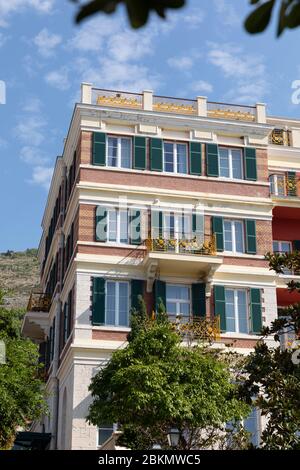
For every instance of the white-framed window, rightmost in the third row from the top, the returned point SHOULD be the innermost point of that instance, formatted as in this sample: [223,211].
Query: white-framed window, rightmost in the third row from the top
[237,310]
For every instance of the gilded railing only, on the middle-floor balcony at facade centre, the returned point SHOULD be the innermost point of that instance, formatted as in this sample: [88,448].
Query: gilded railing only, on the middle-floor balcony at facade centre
[185,246]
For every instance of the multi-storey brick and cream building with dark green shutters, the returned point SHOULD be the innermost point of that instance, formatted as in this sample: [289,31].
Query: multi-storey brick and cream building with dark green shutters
[174,199]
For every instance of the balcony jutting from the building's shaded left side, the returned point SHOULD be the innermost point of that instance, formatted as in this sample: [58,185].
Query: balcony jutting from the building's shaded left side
[35,323]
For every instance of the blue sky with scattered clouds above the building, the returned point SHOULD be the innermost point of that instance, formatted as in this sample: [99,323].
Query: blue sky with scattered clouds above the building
[44,56]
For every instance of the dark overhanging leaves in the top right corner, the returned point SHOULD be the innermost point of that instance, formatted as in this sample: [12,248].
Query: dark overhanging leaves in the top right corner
[259,19]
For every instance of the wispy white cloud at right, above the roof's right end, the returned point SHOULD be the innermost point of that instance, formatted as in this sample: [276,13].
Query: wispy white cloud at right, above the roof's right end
[246,72]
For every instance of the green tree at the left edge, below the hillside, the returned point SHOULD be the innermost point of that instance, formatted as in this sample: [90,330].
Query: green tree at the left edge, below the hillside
[21,391]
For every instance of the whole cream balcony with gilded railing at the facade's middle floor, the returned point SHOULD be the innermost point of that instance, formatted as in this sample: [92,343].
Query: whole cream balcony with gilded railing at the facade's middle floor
[186,257]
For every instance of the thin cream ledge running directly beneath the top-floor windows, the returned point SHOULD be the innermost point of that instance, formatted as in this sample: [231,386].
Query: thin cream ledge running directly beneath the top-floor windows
[176,175]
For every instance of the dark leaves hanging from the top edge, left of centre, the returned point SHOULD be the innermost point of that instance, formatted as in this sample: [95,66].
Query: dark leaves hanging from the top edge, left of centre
[138,12]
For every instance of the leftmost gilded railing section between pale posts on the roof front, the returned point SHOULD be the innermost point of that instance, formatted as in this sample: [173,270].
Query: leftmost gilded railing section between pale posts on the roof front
[116,98]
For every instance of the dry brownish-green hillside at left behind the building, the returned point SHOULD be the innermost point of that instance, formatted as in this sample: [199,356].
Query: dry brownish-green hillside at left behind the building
[19,273]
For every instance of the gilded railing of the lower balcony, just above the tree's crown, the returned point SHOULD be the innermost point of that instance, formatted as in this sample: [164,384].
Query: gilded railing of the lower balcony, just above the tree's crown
[197,328]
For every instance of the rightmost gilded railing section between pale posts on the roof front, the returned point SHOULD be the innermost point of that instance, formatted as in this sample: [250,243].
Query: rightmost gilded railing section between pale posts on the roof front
[231,111]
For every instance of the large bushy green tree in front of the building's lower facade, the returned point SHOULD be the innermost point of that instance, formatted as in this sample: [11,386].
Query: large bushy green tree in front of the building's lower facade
[156,383]
